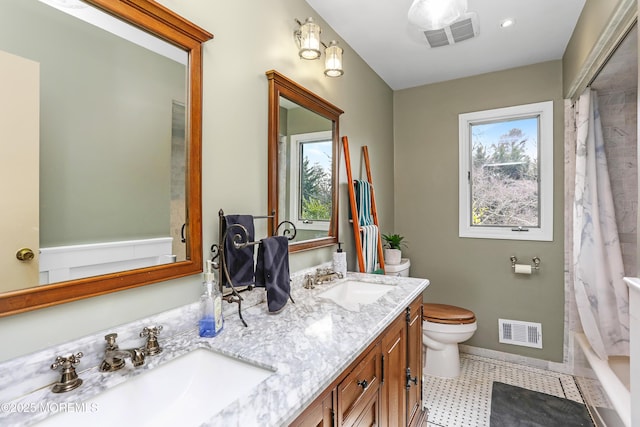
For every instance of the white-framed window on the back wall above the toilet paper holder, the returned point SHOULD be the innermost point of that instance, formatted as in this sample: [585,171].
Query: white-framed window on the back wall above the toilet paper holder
[506,173]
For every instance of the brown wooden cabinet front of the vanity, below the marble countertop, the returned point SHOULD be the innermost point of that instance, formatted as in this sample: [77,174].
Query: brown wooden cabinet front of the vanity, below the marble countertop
[383,386]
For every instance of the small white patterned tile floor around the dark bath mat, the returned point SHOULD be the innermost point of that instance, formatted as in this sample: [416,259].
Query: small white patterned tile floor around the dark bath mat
[466,401]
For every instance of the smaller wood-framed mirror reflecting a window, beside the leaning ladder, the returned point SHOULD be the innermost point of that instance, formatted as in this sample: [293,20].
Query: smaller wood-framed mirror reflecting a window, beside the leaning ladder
[303,162]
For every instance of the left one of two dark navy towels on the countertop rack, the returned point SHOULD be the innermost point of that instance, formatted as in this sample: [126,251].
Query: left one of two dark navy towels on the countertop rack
[239,261]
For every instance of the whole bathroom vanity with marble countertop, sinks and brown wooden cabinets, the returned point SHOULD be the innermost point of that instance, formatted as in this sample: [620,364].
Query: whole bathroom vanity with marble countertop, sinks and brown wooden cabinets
[315,361]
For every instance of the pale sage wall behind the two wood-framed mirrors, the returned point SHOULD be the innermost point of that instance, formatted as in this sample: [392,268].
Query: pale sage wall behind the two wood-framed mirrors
[250,38]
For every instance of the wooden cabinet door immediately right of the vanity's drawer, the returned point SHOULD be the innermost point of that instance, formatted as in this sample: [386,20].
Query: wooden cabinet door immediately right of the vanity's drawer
[393,402]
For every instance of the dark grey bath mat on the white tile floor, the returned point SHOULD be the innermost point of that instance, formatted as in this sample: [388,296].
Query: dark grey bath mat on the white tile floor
[513,406]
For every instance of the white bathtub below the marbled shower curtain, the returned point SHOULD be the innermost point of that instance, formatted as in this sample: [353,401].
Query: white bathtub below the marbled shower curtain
[613,409]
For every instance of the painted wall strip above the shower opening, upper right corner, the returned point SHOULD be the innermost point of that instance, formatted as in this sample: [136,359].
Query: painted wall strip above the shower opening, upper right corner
[593,19]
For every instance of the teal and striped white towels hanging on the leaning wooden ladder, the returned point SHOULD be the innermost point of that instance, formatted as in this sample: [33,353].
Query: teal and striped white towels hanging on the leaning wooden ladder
[368,230]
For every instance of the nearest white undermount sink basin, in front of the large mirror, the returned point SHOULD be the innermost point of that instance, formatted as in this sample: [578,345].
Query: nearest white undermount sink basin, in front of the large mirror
[185,391]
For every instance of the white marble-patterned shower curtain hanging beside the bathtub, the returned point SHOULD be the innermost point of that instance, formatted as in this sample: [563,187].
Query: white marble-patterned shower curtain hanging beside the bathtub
[601,295]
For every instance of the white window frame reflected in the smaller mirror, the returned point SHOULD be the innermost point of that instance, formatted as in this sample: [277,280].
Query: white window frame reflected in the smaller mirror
[294,184]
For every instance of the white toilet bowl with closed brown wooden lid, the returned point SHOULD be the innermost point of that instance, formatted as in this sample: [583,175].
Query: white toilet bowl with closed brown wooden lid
[443,327]
